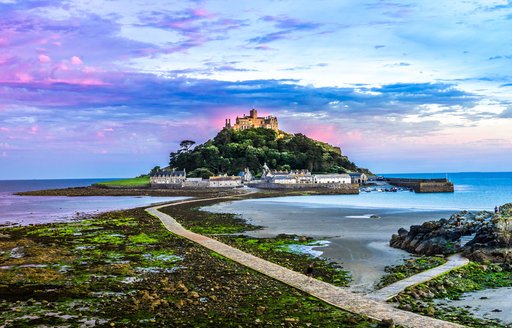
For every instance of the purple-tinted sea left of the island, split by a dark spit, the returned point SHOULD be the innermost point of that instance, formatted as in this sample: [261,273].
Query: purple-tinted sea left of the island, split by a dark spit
[44,209]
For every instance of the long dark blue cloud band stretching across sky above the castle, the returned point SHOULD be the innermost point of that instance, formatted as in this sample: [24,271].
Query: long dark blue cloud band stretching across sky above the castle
[138,97]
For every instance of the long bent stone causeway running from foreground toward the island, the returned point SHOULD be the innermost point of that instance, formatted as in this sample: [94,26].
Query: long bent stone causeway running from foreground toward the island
[337,296]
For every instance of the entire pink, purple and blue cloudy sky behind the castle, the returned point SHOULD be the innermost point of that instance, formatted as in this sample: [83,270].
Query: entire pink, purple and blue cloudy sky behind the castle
[108,88]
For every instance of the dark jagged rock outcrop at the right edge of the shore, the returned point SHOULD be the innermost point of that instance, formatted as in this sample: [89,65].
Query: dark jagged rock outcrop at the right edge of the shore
[479,236]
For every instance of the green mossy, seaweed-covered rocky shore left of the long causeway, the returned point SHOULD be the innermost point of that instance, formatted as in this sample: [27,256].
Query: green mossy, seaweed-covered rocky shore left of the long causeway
[124,274]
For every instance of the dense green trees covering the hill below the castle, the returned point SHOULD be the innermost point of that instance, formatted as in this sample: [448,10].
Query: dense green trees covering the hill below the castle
[232,151]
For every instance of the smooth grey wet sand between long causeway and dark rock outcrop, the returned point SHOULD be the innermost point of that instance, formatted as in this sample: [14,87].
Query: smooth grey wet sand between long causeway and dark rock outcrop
[358,241]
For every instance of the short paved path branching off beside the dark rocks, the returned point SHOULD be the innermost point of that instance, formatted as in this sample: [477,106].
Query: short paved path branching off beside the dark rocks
[388,292]
